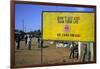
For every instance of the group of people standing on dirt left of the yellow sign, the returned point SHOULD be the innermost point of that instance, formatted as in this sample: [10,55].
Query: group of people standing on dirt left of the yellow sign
[28,41]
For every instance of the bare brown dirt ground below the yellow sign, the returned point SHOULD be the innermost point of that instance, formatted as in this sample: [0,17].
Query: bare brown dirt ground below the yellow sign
[50,55]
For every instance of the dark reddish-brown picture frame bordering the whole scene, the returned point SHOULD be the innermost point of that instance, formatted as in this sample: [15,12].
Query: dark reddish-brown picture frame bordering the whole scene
[12,36]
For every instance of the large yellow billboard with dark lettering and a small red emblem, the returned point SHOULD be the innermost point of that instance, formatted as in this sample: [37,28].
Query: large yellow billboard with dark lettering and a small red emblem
[69,26]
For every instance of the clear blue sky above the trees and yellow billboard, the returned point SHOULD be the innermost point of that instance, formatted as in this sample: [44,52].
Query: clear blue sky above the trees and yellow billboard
[29,16]
